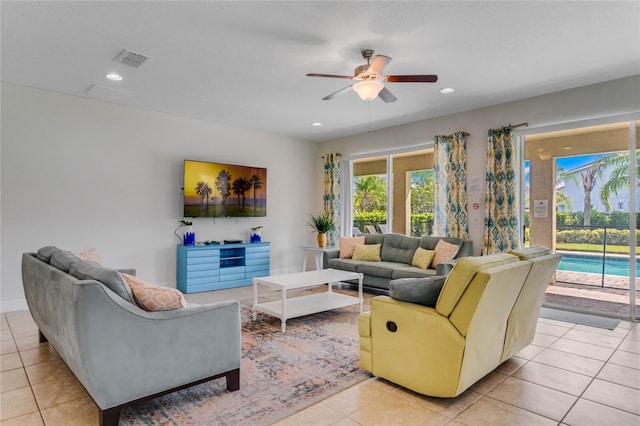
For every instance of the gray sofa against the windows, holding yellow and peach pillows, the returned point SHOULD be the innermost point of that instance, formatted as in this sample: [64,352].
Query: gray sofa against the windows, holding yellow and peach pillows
[396,253]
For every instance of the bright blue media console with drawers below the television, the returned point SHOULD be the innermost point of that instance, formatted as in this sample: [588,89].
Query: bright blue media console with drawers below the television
[214,267]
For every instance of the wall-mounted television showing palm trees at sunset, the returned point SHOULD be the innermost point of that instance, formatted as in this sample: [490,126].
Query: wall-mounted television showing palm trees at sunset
[224,190]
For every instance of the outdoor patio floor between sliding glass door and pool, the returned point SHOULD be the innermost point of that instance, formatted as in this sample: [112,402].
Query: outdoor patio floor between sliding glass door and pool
[584,291]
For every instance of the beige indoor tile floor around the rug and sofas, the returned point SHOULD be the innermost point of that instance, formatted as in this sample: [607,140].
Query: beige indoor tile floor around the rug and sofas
[570,375]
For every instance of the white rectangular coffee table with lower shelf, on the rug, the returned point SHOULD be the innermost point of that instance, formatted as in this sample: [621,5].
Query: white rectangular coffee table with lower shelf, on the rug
[304,305]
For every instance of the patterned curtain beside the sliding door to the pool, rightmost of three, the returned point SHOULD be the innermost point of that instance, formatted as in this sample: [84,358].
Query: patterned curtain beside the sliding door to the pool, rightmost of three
[501,222]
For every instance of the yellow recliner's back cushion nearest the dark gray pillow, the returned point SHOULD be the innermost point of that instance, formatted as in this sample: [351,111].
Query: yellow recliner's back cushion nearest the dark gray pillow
[462,274]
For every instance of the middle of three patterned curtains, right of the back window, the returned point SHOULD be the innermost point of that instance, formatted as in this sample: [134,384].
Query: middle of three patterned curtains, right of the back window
[450,186]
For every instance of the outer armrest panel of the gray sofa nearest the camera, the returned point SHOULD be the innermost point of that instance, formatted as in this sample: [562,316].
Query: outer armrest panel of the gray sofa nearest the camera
[118,343]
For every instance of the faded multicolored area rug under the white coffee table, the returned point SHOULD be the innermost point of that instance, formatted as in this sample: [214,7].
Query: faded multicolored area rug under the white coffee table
[280,374]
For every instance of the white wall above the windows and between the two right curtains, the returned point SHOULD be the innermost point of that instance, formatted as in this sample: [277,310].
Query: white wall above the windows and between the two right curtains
[590,102]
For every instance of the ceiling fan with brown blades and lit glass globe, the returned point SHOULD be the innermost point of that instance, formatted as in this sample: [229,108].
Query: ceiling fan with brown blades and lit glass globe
[370,81]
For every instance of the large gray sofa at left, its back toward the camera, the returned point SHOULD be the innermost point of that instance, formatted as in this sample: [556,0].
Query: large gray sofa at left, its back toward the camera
[120,353]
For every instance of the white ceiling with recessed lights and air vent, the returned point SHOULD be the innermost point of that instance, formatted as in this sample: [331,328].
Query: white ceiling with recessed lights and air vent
[244,63]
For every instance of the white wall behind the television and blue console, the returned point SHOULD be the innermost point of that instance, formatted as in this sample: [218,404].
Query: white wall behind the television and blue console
[80,173]
